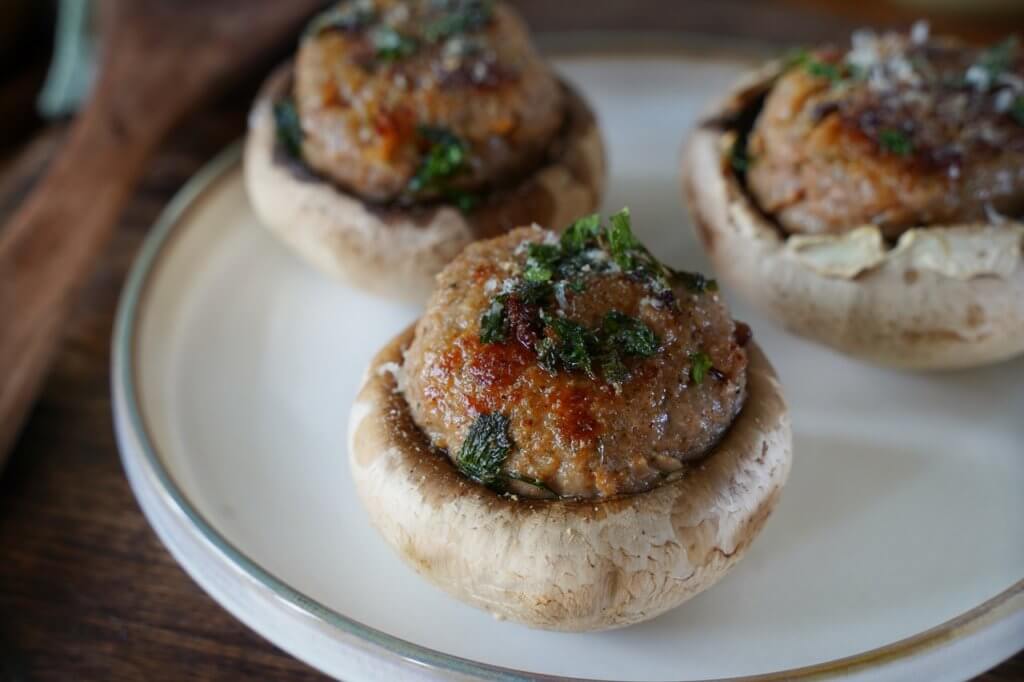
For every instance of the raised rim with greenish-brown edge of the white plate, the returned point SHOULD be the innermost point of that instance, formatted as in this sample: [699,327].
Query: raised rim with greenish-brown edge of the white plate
[994,612]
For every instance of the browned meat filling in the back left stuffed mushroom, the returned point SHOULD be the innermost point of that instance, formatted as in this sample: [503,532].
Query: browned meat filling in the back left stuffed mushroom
[419,100]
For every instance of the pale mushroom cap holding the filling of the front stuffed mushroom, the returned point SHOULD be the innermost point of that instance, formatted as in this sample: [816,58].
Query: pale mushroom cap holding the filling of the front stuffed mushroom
[563,565]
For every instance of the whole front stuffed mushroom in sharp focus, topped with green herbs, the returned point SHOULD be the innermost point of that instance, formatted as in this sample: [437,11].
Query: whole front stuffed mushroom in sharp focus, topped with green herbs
[574,436]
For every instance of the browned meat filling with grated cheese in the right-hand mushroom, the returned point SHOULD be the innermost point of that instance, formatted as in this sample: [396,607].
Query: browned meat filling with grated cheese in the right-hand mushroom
[900,132]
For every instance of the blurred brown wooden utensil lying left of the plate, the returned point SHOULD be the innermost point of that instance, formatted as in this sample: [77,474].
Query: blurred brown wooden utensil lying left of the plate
[141,92]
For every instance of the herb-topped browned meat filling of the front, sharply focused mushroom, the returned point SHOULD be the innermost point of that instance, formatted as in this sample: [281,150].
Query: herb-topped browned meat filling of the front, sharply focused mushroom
[580,368]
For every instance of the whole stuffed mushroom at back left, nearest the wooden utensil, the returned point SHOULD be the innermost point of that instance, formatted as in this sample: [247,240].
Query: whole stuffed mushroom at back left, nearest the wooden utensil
[405,130]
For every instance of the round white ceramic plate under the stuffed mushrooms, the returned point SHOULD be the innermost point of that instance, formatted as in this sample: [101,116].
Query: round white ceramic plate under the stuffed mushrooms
[898,551]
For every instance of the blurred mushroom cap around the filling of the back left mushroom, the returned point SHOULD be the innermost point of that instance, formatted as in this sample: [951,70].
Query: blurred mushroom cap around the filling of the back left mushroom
[397,251]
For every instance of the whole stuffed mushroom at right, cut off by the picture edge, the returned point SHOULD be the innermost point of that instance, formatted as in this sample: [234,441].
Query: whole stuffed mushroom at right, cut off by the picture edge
[871,198]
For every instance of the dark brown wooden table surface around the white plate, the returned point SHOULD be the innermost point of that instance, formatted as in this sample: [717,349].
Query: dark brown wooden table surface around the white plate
[88,592]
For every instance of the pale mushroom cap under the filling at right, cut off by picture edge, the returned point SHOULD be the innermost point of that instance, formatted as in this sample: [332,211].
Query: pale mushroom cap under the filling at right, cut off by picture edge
[944,297]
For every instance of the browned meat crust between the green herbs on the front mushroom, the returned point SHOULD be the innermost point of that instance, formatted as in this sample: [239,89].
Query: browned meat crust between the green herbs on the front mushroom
[574,434]
